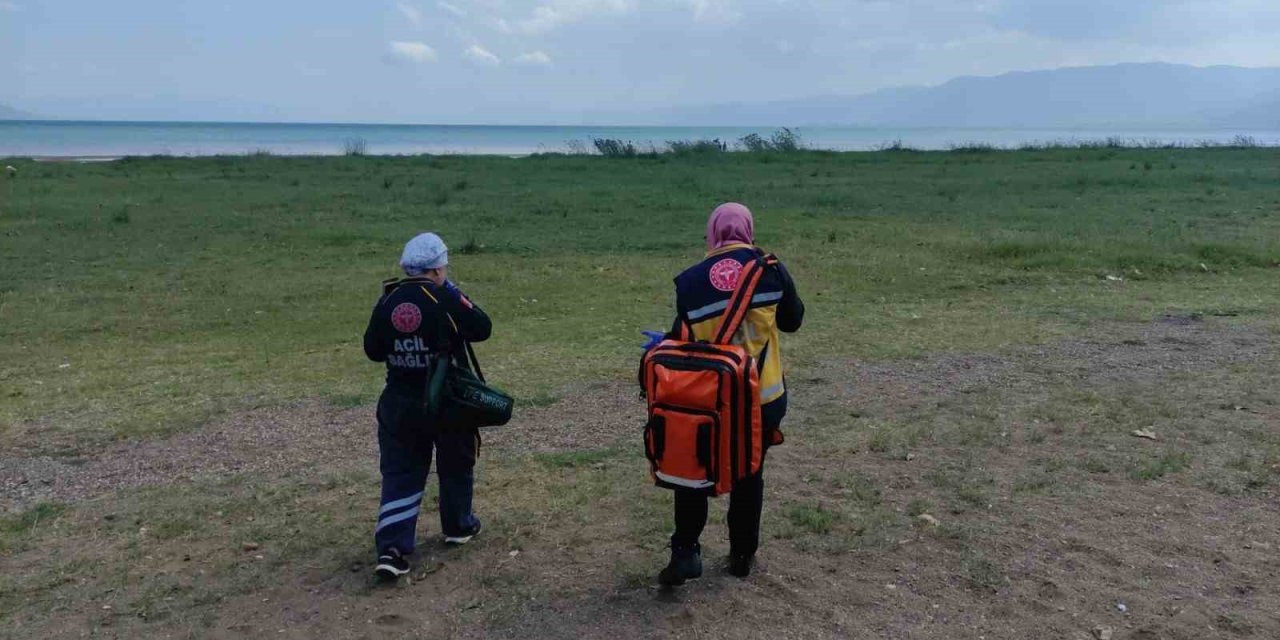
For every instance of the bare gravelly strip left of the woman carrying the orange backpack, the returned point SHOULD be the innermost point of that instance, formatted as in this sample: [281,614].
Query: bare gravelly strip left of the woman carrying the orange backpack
[287,440]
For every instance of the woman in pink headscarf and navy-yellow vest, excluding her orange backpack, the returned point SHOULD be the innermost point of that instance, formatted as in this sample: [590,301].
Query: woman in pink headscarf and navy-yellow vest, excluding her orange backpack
[702,294]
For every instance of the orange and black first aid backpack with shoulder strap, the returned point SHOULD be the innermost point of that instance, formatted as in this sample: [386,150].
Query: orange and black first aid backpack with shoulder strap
[705,427]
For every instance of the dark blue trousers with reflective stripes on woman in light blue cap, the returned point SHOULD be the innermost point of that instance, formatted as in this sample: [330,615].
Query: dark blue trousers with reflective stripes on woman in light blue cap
[406,440]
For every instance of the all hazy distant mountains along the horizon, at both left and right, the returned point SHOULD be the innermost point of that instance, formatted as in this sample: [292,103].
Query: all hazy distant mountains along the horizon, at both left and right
[1148,95]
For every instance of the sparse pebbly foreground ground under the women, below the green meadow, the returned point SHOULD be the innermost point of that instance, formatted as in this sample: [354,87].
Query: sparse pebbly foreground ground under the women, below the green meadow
[1046,516]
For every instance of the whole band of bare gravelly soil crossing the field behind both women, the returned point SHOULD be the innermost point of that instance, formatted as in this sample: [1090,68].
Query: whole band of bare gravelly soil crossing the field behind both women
[290,438]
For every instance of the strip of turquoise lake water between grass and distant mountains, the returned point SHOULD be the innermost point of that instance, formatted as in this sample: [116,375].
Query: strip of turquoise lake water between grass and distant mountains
[118,139]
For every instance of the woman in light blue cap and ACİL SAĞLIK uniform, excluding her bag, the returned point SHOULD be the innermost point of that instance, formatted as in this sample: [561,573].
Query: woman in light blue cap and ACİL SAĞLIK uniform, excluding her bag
[417,319]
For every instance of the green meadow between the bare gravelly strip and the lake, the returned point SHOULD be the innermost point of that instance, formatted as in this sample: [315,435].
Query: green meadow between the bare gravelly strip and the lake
[148,295]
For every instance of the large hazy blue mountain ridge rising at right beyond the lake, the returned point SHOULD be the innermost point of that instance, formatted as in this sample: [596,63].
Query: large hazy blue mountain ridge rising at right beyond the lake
[1123,95]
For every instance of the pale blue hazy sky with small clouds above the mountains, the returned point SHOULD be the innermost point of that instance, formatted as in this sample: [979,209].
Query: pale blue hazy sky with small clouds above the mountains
[532,61]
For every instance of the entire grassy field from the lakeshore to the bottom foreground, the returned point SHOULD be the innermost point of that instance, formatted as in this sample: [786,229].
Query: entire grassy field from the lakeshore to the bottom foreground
[985,332]
